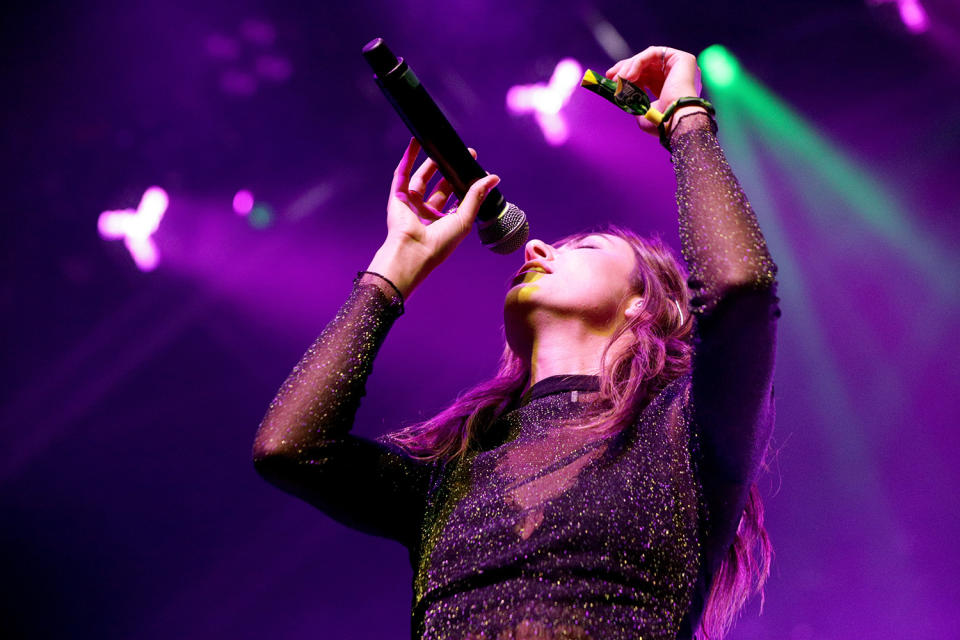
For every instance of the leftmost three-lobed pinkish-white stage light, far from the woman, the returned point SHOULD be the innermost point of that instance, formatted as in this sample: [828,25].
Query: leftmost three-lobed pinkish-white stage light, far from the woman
[137,227]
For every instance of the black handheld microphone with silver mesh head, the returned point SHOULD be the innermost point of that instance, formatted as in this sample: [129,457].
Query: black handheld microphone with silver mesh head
[502,226]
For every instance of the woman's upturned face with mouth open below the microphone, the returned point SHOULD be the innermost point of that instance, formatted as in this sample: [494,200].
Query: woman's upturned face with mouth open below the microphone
[587,278]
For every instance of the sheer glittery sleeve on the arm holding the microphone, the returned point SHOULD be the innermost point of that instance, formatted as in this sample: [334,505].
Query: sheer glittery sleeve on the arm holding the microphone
[304,445]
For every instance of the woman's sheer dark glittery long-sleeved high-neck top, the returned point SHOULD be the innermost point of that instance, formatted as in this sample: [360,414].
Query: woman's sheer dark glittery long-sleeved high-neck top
[544,531]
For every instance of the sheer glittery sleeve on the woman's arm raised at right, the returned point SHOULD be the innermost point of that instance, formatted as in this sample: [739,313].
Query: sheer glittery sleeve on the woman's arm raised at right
[736,311]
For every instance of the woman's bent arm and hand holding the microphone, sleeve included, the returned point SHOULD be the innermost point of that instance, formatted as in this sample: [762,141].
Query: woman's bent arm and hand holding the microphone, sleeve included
[303,444]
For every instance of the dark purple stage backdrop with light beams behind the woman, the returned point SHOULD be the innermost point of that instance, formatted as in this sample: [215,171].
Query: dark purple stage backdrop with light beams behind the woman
[129,506]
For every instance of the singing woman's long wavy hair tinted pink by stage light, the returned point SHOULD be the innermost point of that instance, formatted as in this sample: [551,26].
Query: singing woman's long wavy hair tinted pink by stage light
[659,352]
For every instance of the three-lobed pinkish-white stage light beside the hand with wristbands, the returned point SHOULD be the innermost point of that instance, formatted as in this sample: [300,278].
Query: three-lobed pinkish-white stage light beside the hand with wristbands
[546,100]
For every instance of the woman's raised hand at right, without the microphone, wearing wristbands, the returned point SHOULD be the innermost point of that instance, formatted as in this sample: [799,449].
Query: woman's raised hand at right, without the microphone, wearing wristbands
[667,73]
